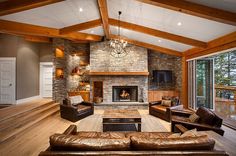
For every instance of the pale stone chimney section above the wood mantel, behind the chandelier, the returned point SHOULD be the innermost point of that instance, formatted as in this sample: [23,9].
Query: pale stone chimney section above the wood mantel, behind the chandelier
[101,60]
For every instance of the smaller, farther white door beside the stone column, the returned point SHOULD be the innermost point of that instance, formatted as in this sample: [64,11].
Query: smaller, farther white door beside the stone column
[46,73]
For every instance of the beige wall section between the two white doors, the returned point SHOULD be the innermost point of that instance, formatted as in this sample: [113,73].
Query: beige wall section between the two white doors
[27,64]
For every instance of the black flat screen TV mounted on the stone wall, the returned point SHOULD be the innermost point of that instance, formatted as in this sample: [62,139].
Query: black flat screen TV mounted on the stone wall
[162,76]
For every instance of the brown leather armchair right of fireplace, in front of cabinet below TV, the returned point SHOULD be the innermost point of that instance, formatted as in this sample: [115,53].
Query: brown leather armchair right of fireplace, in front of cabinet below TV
[161,111]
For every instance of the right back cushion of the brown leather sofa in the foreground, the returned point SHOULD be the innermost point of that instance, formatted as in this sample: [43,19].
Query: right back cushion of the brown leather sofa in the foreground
[190,143]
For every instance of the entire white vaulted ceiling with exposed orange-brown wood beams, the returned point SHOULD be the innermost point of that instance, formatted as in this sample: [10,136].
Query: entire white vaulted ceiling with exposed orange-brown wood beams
[168,26]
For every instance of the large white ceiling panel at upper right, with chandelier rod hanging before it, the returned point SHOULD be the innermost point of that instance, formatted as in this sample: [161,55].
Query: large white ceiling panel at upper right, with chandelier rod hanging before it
[166,20]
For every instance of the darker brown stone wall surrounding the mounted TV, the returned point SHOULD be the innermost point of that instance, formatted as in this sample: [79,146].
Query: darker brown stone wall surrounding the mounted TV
[159,61]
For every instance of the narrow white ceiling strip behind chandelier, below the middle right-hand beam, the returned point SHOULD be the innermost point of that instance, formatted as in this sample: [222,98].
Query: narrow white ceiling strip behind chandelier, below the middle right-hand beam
[150,39]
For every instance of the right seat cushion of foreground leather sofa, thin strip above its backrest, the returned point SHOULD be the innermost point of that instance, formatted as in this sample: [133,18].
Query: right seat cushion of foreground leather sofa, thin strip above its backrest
[149,134]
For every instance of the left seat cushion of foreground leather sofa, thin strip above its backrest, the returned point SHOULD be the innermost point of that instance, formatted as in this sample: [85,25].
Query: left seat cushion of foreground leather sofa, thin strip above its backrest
[111,135]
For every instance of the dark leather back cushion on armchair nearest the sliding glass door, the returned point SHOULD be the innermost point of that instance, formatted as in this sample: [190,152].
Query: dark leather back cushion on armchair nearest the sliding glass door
[206,115]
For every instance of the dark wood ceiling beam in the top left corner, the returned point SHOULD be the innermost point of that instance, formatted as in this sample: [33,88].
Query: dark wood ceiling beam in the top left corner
[14,6]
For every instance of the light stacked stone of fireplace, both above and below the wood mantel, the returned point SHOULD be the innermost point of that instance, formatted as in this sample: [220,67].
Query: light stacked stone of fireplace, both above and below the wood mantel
[135,61]
